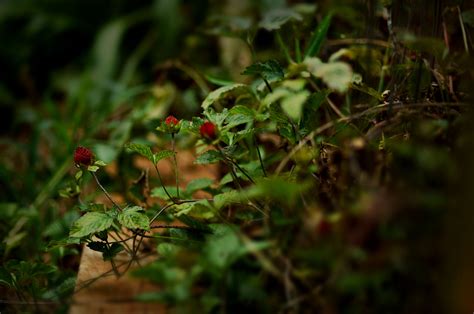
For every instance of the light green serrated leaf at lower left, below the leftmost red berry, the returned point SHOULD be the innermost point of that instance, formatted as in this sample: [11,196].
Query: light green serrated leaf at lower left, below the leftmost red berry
[90,223]
